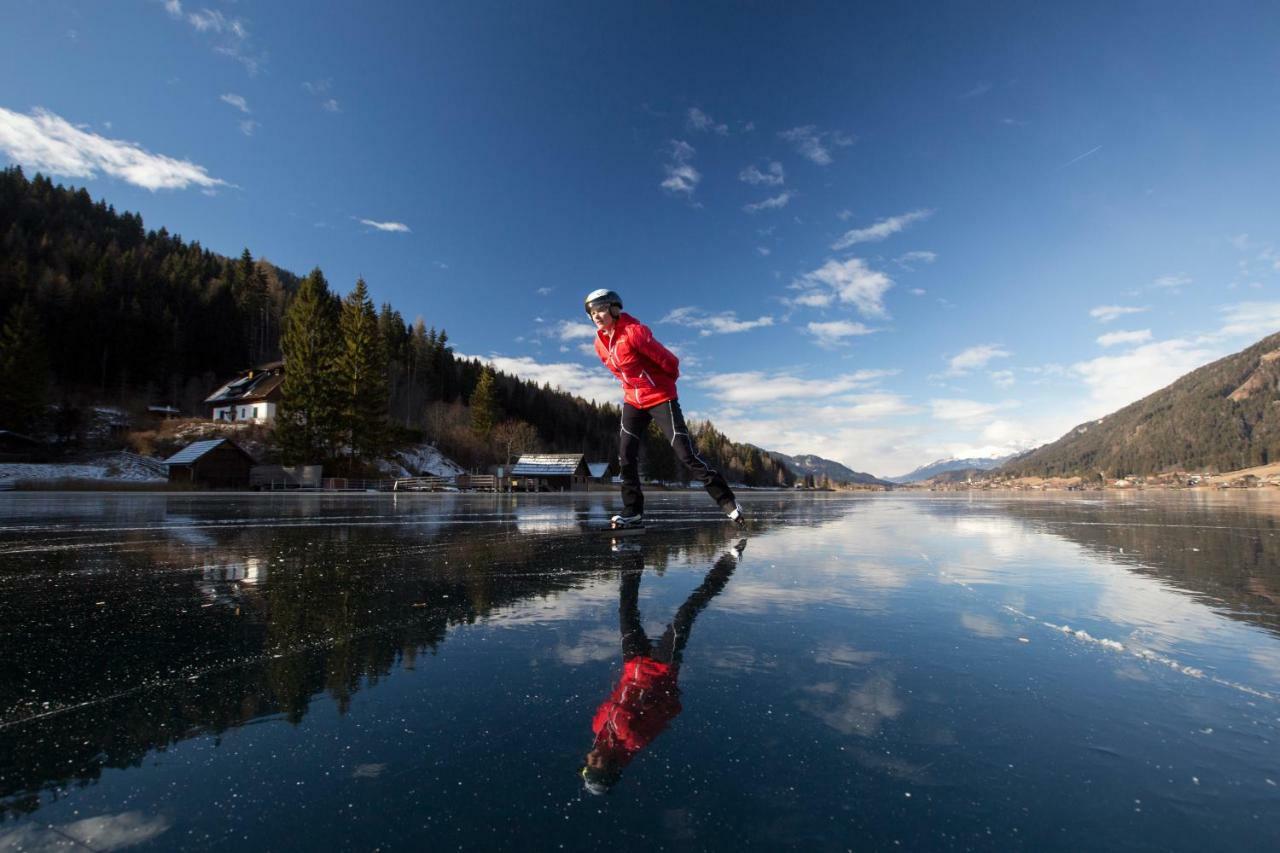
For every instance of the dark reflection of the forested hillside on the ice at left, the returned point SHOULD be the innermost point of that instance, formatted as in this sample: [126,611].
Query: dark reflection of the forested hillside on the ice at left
[141,633]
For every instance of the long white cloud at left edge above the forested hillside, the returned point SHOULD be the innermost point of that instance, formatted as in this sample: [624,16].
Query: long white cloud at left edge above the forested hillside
[51,144]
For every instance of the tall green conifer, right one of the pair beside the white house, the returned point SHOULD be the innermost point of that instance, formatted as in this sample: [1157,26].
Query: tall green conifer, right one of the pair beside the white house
[363,376]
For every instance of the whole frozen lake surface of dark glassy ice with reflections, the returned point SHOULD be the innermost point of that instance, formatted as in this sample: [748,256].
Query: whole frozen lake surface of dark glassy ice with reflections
[437,672]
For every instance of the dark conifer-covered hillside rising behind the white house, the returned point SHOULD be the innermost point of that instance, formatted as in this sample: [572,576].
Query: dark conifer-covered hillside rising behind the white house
[99,311]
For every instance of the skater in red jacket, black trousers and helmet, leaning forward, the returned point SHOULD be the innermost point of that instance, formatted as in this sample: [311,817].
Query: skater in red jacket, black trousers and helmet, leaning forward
[648,373]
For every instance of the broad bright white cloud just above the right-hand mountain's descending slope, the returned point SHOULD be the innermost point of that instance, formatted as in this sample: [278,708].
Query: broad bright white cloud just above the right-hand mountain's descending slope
[1116,382]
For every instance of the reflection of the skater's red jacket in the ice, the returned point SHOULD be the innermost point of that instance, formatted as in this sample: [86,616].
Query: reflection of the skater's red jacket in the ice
[641,708]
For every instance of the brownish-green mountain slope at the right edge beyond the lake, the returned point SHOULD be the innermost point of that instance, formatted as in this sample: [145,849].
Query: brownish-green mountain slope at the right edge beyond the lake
[1223,417]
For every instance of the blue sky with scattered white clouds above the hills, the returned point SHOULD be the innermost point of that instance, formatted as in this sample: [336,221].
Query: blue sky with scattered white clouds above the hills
[883,234]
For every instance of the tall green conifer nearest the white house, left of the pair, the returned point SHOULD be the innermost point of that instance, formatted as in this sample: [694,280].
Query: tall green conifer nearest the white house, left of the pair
[308,426]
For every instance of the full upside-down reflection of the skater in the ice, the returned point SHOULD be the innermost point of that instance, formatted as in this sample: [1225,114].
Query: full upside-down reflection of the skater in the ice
[648,696]
